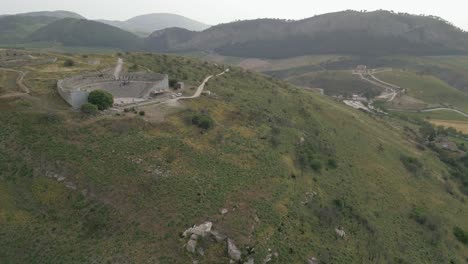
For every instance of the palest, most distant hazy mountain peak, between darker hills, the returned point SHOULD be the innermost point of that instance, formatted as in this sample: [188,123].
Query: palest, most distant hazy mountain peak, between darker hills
[146,24]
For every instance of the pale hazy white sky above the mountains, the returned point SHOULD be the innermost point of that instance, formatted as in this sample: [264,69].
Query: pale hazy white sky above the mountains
[218,11]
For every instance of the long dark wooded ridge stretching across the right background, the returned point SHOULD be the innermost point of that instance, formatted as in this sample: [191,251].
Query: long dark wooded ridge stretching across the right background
[347,32]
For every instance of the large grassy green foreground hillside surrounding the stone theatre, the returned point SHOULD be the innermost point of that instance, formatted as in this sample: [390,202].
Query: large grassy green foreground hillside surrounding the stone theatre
[290,166]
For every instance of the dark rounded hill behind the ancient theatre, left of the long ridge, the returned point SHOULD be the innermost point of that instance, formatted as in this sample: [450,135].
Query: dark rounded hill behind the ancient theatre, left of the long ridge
[79,32]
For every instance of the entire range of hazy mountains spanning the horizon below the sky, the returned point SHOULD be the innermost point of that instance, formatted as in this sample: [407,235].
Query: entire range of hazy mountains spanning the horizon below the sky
[347,32]
